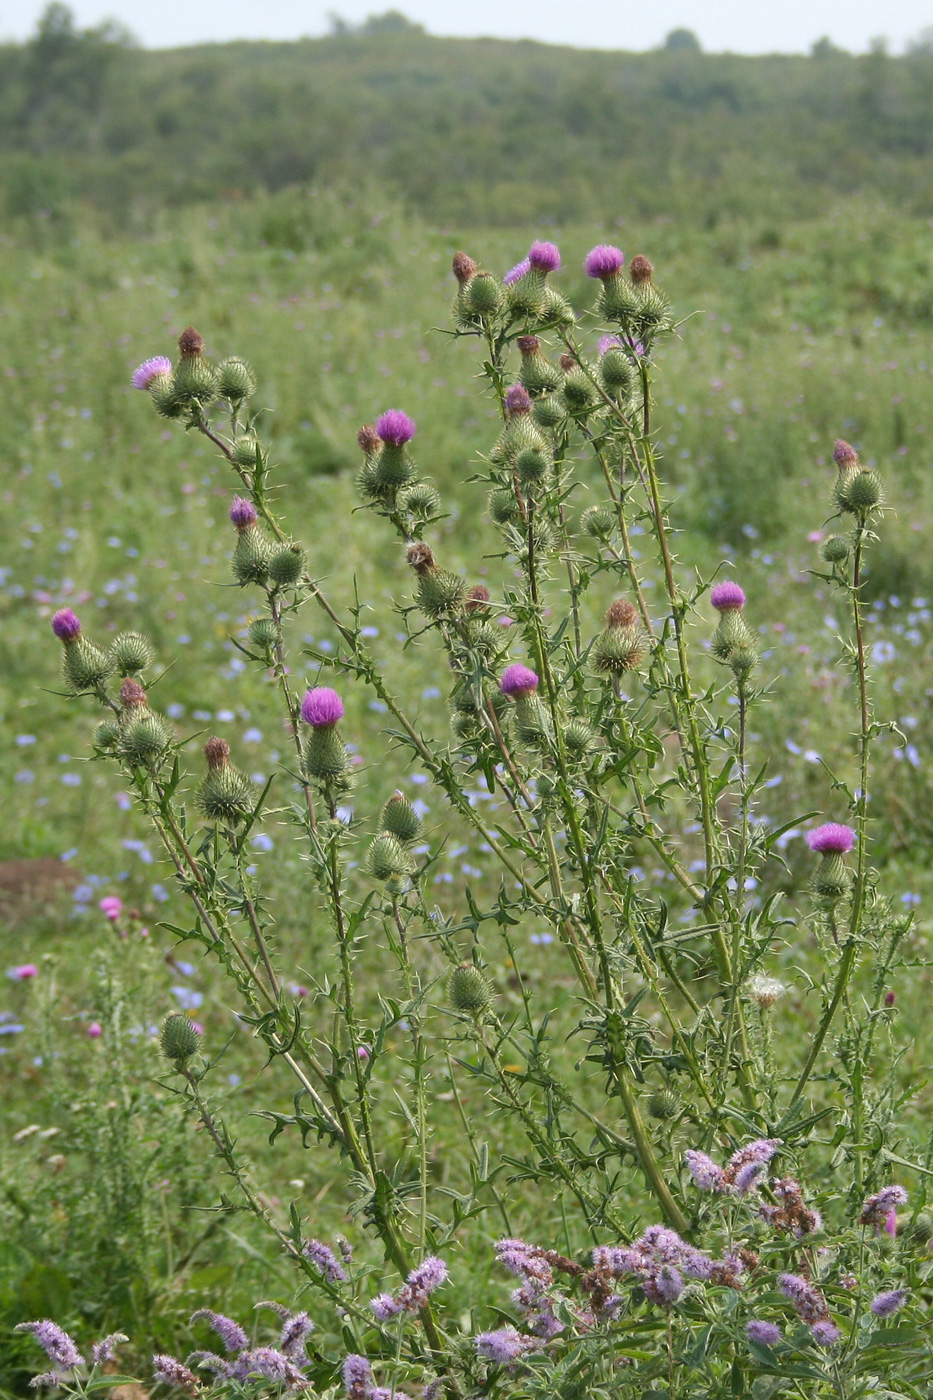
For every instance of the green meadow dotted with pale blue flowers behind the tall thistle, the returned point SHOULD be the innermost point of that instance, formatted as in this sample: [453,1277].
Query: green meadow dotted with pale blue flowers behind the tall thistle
[791,334]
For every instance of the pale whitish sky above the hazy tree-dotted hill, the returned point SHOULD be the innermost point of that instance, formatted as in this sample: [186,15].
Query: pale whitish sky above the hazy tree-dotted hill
[742,26]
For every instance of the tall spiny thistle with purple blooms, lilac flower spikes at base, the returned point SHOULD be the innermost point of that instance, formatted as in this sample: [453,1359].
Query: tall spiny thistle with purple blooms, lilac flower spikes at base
[689,1265]
